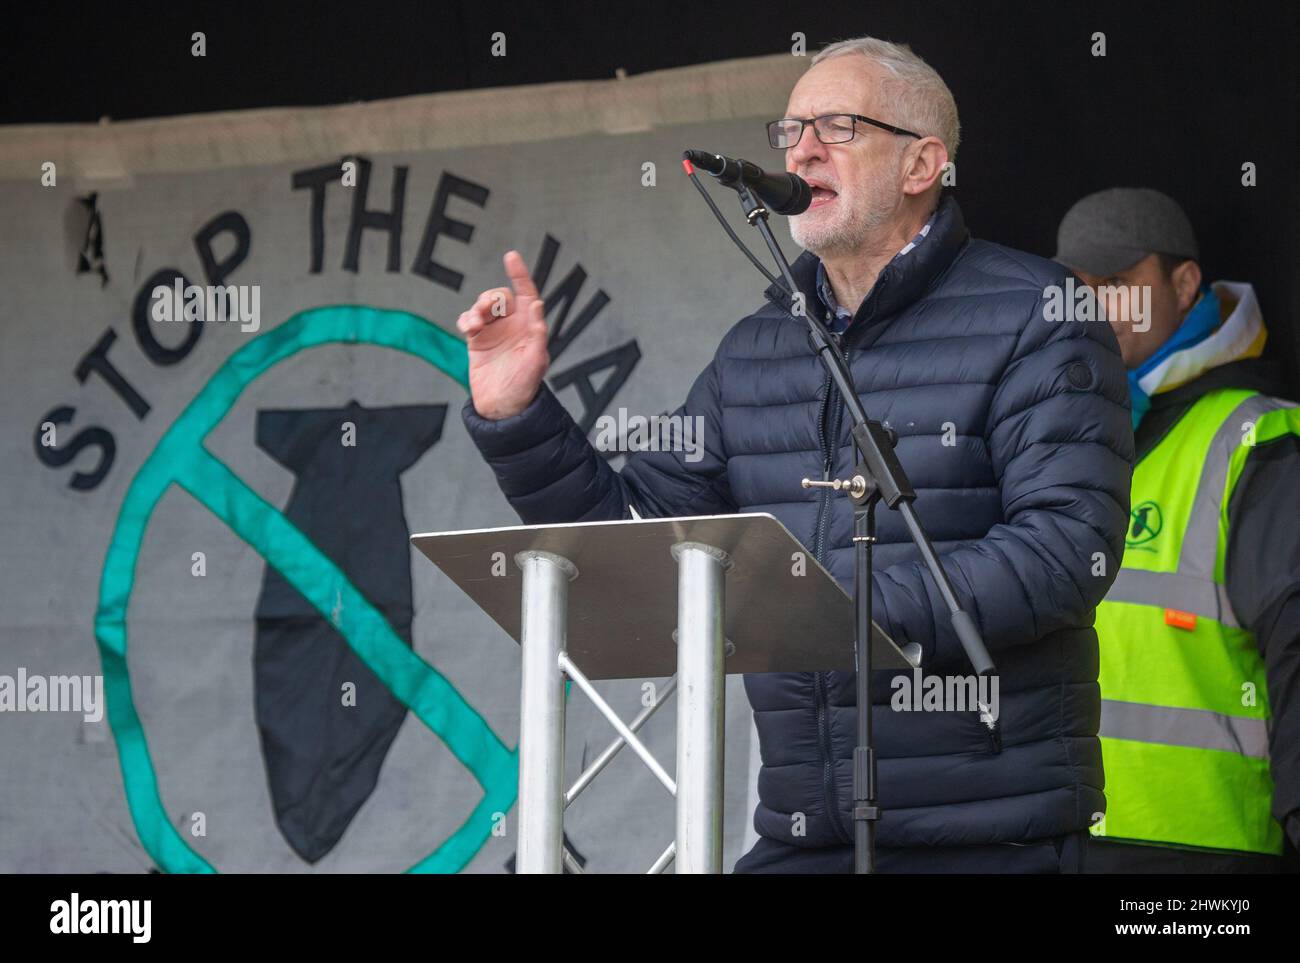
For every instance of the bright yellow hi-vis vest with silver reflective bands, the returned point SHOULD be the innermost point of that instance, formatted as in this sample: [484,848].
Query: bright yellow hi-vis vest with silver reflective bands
[1185,706]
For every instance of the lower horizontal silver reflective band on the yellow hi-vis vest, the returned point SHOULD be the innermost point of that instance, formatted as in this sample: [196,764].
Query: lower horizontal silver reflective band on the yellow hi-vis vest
[1185,727]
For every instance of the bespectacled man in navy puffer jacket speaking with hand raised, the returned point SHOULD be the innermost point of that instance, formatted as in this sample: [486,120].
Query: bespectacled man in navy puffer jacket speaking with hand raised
[1015,431]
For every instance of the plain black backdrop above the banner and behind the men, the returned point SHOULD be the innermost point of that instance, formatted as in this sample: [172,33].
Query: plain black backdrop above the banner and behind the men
[1188,93]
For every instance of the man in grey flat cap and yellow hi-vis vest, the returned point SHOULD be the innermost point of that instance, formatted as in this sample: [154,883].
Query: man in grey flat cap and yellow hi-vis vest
[1201,634]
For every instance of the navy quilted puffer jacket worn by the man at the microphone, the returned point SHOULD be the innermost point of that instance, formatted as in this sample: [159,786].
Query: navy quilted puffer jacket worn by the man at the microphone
[1016,435]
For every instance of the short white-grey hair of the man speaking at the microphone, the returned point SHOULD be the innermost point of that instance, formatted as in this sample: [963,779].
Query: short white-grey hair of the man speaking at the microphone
[915,93]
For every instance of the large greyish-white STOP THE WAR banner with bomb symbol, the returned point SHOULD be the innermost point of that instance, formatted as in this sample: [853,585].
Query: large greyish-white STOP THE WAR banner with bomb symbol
[206,514]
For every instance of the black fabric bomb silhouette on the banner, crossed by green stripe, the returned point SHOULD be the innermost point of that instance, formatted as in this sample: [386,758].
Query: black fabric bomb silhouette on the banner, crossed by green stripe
[324,757]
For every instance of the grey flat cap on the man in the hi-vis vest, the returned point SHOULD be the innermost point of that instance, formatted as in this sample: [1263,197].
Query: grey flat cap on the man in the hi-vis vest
[1115,229]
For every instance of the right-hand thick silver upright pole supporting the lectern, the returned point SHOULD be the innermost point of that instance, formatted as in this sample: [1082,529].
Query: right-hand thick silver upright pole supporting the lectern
[701,580]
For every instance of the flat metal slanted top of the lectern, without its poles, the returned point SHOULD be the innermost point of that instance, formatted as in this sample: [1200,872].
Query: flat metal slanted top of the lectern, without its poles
[785,611]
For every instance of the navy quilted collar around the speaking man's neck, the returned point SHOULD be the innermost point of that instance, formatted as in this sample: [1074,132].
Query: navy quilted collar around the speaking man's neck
[902,283]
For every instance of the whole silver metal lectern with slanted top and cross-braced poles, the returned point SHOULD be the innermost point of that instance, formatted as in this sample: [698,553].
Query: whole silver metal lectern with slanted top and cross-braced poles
[593,601]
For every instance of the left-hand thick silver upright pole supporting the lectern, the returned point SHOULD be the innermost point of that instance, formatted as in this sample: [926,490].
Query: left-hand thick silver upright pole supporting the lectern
[541,712]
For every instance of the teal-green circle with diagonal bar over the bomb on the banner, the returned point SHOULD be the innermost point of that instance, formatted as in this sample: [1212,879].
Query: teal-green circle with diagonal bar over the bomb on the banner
[181,458]
